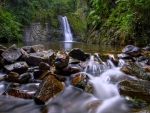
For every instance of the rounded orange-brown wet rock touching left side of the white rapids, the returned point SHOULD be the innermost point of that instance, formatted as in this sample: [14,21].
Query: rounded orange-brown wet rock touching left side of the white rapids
[79,80]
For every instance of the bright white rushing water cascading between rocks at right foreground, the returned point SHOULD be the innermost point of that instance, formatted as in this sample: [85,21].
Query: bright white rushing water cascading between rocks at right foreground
[107,92]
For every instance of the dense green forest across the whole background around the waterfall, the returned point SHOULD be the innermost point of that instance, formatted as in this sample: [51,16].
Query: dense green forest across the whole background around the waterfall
[103,21]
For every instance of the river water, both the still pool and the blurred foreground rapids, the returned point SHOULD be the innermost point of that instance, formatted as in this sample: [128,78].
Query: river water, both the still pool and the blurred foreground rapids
[71,100]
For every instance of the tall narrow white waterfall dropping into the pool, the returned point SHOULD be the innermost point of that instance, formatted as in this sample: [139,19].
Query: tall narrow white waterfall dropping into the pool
[66,30]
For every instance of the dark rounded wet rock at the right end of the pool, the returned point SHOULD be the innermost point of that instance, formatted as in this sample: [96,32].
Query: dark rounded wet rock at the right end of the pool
[131,50]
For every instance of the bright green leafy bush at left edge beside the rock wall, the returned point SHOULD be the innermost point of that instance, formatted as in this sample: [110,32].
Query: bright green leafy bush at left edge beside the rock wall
[9,29]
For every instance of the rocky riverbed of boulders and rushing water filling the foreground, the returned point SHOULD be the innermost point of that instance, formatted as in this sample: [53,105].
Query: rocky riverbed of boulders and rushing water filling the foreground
[60,78]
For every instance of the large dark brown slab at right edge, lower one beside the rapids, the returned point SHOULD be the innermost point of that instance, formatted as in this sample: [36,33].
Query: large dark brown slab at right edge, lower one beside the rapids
[139,89]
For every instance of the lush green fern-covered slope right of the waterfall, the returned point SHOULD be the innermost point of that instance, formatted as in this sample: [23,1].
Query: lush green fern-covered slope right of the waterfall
[125,20]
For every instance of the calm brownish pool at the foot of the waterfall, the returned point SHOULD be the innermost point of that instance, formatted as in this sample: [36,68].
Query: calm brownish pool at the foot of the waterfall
[67,46]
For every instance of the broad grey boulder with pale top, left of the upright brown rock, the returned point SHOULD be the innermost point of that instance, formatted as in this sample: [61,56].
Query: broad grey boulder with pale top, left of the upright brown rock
[33,59]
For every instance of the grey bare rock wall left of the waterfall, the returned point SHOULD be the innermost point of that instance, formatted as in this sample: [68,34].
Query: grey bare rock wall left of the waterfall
[37,32]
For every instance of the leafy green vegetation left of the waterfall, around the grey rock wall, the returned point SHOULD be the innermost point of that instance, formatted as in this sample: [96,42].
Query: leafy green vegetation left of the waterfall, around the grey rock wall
[20,13]
